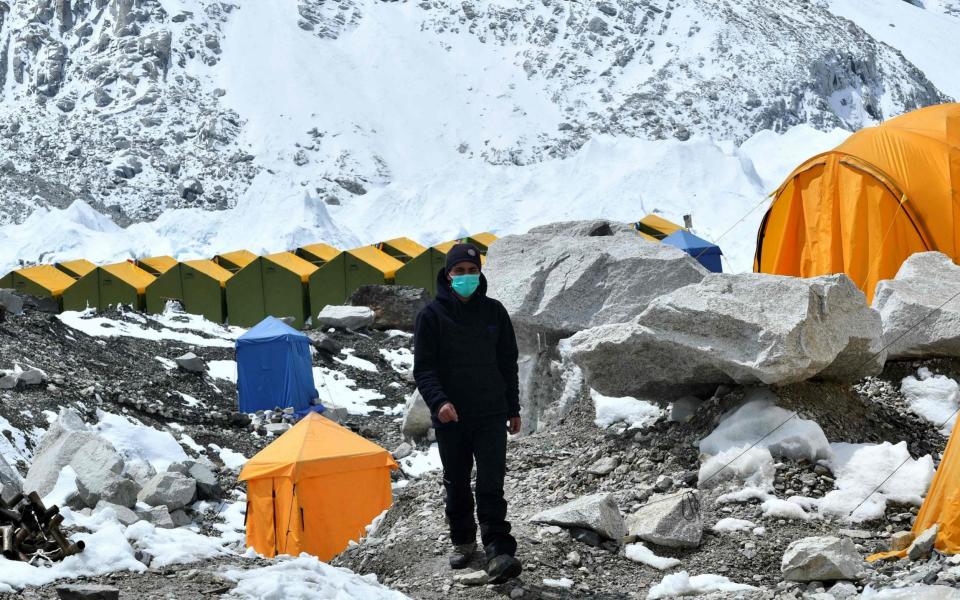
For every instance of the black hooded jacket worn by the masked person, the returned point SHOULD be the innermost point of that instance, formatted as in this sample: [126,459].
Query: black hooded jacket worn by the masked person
[466,353]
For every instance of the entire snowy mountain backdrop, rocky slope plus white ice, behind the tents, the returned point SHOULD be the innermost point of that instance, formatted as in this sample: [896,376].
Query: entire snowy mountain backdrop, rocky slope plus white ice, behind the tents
[356,120]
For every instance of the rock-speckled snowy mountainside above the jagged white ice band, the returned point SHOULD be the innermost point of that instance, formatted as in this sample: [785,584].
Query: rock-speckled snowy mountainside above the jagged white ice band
[126,103]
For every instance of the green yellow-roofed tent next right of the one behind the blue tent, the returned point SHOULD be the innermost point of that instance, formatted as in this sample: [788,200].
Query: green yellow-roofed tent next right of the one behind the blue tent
[340,276]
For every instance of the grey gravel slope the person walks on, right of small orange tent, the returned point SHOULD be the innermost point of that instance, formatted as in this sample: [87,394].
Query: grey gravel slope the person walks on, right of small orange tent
[551,467]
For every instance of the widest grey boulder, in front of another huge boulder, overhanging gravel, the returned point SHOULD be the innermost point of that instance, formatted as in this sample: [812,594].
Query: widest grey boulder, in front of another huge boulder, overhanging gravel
[735,329]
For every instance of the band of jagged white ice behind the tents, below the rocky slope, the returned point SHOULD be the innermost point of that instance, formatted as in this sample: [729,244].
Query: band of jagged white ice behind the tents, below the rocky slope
[716,182]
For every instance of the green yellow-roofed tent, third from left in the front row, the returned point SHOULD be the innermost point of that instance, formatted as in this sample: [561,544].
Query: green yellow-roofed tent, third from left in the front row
[200,285]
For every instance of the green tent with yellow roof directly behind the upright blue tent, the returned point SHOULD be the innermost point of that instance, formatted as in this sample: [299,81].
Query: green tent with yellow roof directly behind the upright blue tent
[273,285]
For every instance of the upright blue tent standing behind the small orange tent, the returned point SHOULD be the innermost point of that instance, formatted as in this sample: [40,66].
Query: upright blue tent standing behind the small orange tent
[274,368]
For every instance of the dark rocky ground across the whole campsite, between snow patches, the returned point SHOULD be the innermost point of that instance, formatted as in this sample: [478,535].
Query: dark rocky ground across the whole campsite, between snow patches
[571,458]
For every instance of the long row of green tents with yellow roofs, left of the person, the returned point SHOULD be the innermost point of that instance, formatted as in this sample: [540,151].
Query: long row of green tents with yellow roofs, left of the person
[241,284]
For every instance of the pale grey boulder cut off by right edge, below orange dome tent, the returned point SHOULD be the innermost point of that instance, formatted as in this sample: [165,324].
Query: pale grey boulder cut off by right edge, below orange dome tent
[914,322]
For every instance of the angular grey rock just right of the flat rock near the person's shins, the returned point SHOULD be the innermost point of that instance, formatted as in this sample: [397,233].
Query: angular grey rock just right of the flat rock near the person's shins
[671,520]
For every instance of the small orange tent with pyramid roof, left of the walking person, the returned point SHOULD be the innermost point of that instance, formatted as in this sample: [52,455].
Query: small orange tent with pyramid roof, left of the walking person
[314,489]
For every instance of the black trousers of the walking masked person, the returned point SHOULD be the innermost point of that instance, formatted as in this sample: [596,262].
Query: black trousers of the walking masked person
[485,441]
